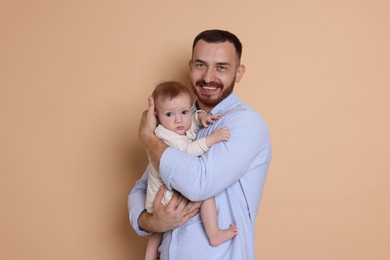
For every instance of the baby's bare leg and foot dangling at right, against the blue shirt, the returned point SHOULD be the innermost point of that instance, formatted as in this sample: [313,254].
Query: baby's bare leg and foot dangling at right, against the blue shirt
[208,213]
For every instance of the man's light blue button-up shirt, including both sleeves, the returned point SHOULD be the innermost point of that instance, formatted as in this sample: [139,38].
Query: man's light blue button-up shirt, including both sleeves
[234,172]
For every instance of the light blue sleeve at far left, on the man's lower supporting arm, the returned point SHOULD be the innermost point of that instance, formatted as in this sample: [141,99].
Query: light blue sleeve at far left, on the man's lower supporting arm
[136,202]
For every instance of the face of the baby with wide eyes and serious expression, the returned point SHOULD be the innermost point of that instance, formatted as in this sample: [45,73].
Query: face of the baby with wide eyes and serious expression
[175,114]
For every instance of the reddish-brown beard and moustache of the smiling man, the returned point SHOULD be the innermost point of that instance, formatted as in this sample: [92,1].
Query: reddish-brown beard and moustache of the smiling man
[212,102]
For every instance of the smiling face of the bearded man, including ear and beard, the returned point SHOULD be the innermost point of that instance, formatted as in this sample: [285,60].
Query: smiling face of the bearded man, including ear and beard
[214,69]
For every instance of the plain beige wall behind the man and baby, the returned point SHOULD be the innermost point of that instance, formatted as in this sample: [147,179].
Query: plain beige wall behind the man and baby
[75,76]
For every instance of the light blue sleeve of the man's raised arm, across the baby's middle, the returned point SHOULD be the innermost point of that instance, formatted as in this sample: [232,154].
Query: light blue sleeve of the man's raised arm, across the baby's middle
[199,178]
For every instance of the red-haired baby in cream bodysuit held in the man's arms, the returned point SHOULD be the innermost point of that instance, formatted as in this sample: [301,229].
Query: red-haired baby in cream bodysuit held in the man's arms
[178,125]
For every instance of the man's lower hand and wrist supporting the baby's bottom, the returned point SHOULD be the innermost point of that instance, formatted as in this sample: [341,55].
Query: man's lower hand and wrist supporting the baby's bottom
[178,211]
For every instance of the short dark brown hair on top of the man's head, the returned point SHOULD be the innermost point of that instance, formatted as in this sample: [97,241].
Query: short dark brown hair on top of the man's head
[214,36]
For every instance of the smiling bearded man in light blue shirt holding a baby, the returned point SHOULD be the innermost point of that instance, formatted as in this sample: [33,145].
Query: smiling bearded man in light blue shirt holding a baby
[234,171]
